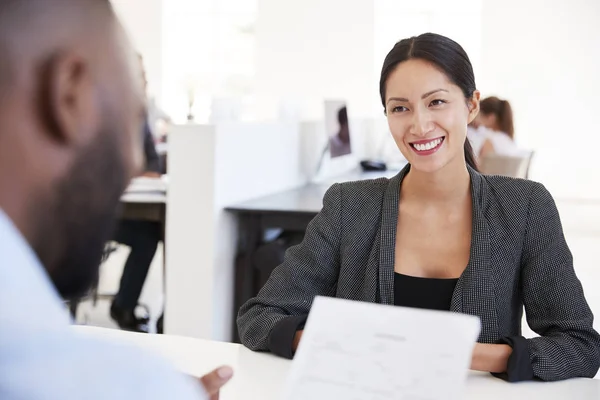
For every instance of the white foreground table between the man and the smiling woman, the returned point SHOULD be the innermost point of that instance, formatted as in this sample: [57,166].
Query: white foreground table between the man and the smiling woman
[261,376]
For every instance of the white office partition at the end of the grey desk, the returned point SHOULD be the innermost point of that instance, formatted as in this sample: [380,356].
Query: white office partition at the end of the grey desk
[212,167]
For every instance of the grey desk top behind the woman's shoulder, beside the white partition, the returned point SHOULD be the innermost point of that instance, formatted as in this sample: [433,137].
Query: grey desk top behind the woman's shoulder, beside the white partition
[305,199]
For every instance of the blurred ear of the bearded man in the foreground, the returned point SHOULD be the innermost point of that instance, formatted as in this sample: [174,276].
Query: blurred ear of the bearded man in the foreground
[67,99]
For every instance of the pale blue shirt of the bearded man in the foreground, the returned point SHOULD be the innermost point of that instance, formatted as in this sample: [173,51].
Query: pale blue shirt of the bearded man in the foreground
[42,358]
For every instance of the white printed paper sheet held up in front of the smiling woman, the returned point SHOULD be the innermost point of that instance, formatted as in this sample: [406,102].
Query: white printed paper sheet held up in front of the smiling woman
[363,351]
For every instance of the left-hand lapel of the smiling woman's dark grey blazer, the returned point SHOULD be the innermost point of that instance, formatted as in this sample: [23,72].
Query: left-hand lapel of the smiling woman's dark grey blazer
[389,221]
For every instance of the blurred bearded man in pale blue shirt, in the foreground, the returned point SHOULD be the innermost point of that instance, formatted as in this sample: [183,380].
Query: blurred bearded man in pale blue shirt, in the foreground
[71,113]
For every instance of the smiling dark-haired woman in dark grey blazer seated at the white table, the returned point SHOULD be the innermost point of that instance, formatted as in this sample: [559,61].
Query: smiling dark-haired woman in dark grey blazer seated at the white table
[439,235]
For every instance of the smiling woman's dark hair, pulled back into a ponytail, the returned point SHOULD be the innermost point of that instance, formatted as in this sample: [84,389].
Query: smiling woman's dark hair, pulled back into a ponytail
[445,54]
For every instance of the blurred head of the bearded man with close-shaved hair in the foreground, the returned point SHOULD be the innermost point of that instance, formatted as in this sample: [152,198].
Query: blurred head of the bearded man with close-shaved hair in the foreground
[71,108]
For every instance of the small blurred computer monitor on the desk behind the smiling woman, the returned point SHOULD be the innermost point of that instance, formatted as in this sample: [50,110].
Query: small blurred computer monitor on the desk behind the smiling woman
[337,128]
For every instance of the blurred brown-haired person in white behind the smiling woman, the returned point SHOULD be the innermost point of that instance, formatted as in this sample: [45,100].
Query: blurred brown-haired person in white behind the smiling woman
[492,131]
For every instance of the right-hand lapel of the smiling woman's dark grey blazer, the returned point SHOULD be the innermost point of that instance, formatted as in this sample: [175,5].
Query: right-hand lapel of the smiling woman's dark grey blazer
[474,293]
